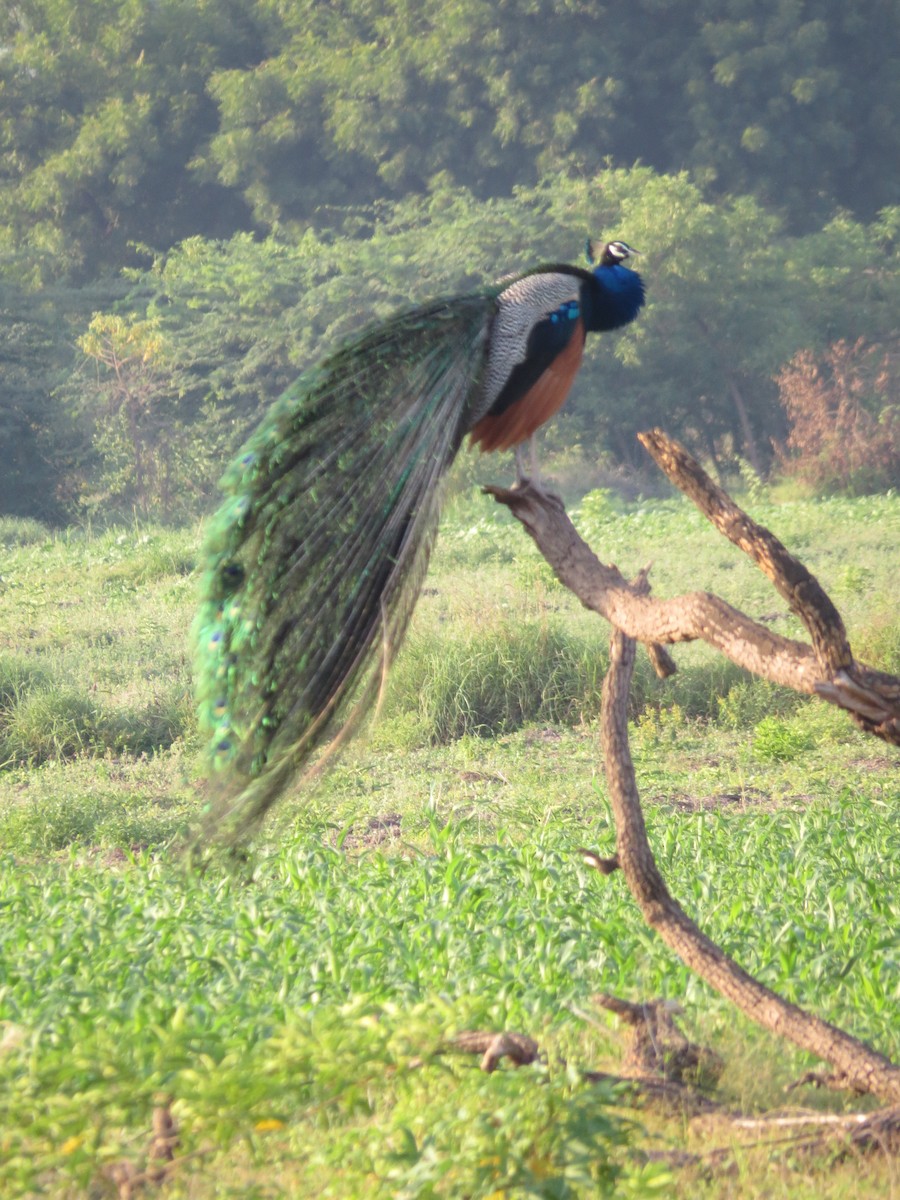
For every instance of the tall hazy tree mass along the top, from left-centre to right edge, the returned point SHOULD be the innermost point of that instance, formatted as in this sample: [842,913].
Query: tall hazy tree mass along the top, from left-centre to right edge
[790,103]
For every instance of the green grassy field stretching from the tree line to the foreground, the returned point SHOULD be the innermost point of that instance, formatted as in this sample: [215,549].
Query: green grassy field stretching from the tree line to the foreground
[293,1015]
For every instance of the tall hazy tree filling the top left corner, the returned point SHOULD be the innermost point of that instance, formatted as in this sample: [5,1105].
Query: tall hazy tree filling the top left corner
[105,109]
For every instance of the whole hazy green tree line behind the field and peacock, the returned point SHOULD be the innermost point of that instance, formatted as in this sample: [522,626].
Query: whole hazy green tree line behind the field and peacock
[235,185]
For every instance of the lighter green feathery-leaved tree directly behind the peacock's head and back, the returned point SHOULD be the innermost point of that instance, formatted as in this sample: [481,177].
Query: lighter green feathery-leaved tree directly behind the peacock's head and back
[731,299]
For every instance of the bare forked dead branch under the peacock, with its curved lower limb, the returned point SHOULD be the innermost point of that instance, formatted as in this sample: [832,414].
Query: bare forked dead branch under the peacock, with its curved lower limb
[826,669]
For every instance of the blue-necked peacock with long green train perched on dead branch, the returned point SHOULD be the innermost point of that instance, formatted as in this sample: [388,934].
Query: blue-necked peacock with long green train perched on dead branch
[314,563]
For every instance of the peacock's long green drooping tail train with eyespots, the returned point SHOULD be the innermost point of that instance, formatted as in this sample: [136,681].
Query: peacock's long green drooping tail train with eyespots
[315,562]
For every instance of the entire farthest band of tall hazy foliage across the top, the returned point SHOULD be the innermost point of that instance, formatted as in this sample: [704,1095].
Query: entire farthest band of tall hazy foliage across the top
[129,121]
